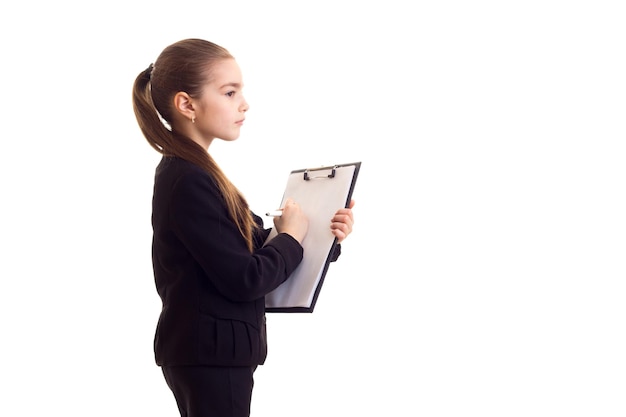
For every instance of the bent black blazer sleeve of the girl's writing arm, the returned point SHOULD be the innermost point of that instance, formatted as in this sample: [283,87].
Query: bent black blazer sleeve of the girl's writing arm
[201,222]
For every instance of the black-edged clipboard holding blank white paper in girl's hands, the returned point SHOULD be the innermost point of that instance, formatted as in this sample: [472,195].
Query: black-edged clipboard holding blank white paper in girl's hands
[320,192]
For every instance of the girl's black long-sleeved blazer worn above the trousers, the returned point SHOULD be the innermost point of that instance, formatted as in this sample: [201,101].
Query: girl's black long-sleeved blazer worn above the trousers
[212,288]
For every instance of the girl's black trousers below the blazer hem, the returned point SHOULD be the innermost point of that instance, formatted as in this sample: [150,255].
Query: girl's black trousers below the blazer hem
[211,391]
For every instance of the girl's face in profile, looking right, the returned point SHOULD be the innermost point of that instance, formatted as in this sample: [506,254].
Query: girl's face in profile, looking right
[220,111]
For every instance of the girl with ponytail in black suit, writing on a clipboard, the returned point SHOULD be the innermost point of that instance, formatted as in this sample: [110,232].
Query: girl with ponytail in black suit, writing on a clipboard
[211,267]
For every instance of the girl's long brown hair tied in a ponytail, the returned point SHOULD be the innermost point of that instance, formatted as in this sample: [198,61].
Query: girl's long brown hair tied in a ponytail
[185,66]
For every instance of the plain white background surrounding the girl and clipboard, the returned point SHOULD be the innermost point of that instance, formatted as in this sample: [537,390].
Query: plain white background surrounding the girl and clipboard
[485,275]
